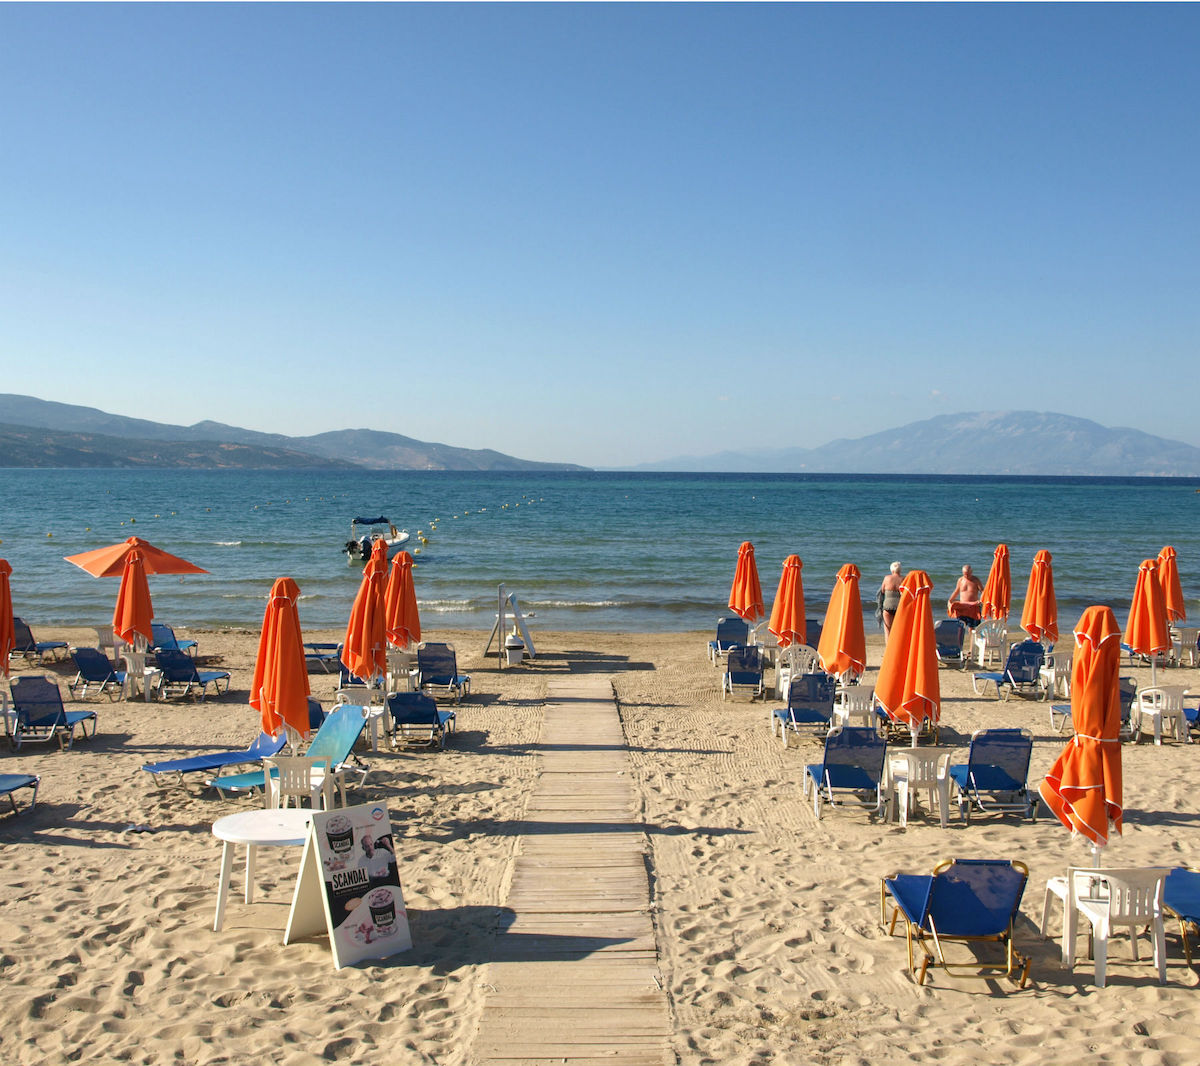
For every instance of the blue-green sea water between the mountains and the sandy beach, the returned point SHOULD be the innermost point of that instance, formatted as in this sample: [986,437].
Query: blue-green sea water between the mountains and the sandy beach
[643,553]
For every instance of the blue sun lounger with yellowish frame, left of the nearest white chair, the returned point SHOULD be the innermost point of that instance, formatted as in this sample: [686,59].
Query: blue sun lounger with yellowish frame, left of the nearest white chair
[969,901]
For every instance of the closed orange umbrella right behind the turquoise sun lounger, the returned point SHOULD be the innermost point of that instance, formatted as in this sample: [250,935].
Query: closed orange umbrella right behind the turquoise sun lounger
[280,690]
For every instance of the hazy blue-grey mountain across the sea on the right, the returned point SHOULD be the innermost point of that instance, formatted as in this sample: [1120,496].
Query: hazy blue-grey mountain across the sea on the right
[1009,442]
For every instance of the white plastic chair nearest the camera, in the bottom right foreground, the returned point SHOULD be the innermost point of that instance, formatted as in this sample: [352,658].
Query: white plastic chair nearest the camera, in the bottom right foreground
[1111,900]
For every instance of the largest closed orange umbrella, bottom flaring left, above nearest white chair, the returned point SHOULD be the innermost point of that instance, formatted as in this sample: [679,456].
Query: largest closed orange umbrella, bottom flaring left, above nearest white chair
[1084,786]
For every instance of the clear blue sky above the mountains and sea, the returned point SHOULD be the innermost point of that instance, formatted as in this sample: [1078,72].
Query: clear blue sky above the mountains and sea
[603,235]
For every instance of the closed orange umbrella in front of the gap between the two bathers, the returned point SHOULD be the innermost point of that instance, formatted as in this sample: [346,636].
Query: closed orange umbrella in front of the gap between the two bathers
[908,686]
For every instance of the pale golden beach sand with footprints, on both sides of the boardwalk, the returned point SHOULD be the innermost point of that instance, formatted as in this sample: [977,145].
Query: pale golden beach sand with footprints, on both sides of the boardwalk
[767,920]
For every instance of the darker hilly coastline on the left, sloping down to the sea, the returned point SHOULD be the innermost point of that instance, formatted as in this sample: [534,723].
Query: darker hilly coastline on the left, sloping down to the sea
[44,434]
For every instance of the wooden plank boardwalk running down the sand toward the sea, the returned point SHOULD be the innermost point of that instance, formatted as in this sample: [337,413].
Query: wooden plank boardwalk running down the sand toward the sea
[574,978]
